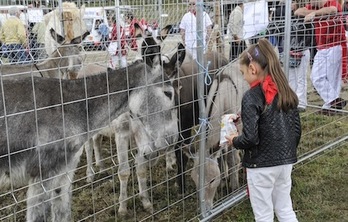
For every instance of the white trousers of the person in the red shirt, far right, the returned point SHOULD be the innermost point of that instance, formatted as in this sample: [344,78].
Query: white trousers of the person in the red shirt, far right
[326,73]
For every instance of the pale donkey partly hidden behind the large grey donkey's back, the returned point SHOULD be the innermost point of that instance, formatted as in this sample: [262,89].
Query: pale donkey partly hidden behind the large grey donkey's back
[64,62]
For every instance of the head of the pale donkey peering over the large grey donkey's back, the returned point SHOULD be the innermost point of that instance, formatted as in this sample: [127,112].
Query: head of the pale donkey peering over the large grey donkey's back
[67,56]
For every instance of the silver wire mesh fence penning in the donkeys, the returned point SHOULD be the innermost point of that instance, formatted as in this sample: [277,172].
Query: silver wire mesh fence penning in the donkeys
[123,144]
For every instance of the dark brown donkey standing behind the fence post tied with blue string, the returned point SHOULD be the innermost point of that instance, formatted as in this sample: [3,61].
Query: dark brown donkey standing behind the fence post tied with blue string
[188,105]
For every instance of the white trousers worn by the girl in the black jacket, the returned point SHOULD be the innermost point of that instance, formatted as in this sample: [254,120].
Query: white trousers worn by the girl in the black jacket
[269,189]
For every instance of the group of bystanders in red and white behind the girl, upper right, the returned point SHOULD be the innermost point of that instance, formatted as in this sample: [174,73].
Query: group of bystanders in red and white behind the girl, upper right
[327,54]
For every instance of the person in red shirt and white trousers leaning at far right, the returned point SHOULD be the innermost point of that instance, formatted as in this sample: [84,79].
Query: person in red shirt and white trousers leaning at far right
[327,66]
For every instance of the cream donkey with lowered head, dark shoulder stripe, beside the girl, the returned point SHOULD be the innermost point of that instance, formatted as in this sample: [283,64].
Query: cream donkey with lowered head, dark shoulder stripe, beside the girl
[225,97]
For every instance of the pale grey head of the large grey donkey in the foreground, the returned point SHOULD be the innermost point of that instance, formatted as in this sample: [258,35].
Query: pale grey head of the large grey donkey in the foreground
[154,110]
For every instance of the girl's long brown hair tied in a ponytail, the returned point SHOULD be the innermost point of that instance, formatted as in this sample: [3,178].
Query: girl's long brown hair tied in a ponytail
[264,54]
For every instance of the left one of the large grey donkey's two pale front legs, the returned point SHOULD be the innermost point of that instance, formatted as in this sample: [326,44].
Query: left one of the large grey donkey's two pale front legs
[37,205]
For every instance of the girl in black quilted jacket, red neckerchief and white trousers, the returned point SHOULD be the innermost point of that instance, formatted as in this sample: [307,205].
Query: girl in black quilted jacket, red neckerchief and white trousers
[271,133]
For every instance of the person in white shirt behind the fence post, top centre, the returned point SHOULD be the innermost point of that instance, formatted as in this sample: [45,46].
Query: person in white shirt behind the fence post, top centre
[188,29]
